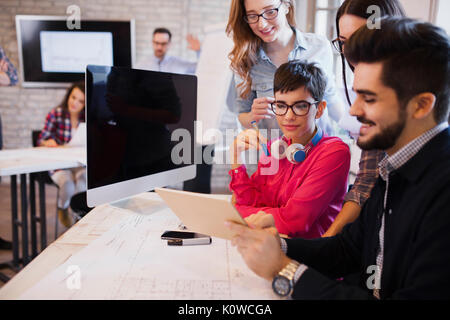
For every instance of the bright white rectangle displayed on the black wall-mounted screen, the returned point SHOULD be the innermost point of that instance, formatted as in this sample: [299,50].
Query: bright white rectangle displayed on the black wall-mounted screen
[63,51]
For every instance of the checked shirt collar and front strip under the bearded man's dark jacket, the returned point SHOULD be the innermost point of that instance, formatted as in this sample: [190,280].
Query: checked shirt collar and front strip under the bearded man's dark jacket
[388,165]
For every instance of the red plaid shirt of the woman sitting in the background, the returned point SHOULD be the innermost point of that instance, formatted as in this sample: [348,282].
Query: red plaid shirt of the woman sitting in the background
[58,126]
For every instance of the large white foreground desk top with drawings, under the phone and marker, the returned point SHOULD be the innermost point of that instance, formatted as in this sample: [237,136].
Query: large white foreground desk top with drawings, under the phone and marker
[119,255]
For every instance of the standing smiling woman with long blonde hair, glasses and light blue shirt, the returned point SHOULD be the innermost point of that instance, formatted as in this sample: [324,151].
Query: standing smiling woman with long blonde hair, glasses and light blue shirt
[265,37]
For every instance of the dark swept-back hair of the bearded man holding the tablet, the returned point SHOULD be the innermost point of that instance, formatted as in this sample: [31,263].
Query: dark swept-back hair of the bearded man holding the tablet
[415,57]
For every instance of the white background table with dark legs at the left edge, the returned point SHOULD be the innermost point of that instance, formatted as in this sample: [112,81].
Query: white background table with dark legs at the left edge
[25,162]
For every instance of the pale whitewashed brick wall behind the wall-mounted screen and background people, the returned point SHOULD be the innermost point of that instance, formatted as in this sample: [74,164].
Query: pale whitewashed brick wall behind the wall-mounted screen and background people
[24,109]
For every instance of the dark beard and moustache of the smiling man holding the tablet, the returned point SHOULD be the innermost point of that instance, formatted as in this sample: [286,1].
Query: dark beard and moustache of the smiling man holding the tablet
[388,136]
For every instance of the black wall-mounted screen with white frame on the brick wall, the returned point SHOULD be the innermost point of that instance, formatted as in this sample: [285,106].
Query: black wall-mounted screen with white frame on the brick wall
[52,55]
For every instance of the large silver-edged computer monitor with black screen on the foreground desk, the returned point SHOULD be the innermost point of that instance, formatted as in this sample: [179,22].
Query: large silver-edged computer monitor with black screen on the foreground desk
[140,131]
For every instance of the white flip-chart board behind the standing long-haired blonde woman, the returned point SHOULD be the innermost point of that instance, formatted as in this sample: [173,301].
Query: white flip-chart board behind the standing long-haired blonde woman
[214,78]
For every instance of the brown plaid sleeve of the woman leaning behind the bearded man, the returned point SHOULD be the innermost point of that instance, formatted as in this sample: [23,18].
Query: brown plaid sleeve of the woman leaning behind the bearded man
[366,177]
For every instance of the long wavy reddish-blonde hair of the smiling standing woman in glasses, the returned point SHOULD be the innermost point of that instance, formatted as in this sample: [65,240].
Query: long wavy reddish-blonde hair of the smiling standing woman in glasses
[246,44]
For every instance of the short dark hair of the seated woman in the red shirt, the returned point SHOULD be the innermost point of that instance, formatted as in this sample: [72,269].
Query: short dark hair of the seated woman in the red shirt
[296,74]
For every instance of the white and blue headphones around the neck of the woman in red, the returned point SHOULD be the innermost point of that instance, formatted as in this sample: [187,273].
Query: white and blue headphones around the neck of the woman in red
[295,152]
